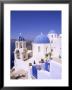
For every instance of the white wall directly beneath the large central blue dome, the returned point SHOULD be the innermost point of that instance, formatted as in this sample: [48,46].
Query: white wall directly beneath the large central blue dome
[42,52]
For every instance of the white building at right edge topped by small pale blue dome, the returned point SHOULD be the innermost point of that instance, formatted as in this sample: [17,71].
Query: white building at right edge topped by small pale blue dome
[55,43]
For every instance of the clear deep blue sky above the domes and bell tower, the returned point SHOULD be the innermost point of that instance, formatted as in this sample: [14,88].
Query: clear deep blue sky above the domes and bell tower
[32,23]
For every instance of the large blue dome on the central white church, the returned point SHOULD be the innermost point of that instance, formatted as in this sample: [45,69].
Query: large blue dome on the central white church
[41,39]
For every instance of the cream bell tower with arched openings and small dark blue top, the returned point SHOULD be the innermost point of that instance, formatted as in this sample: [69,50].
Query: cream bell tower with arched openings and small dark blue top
[20,51]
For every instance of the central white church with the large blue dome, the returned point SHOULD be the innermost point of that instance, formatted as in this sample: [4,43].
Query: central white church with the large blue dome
[41,46]
